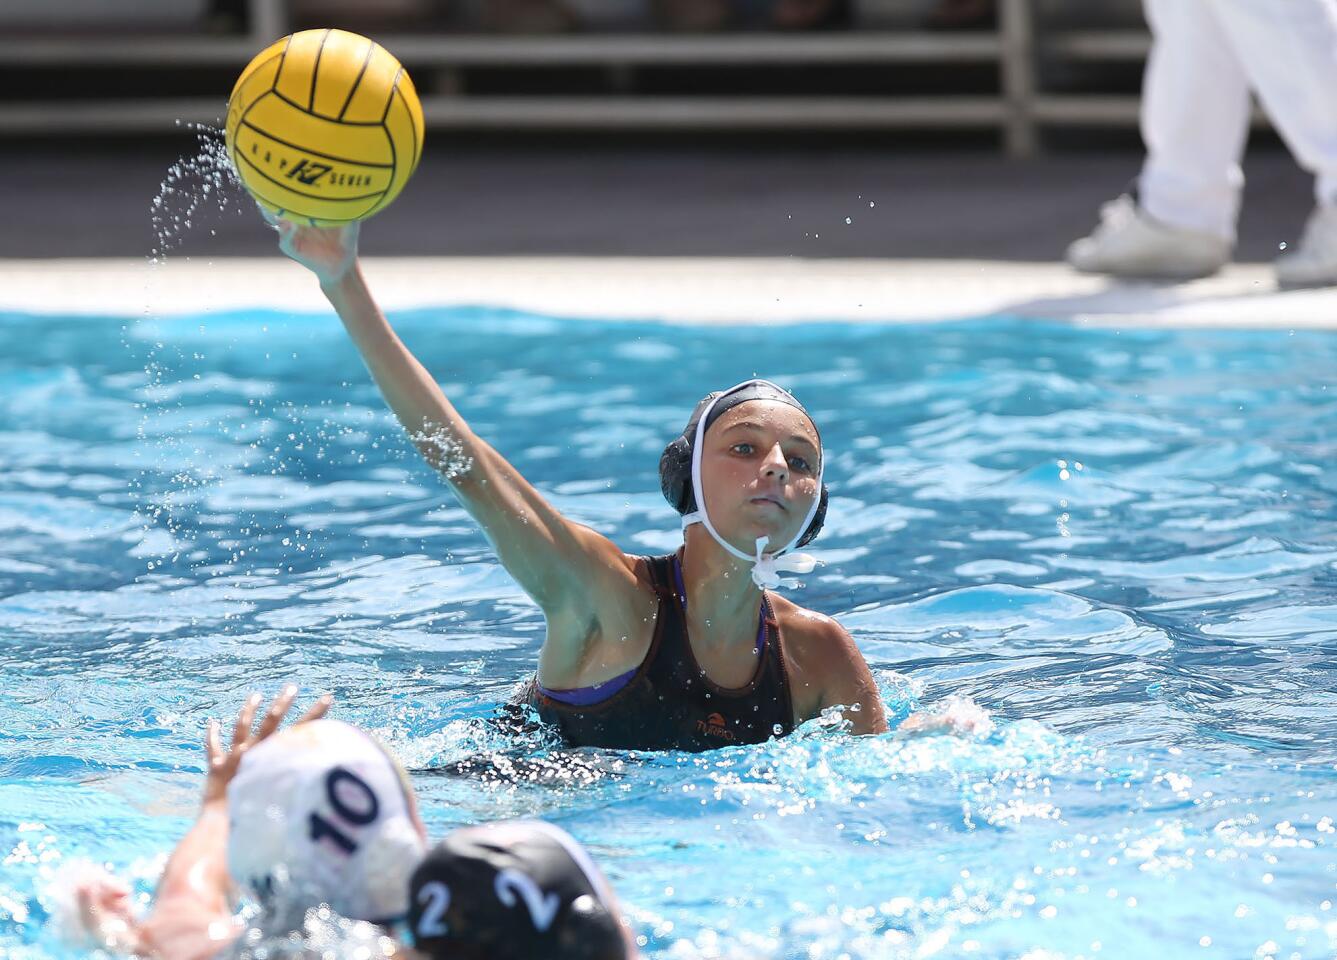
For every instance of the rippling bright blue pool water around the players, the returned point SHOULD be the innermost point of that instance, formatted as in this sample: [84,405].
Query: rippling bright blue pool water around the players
[1121,545]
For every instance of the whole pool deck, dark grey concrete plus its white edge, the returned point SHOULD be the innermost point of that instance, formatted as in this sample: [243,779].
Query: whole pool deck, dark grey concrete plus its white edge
[756,235]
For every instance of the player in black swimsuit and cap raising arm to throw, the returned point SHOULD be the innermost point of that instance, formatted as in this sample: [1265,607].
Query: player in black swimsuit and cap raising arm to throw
[691,652]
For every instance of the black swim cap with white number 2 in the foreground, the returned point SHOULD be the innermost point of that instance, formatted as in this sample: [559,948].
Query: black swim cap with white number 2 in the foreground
[513,891]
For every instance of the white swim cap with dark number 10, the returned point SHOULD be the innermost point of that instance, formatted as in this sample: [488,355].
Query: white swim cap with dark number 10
[320,815]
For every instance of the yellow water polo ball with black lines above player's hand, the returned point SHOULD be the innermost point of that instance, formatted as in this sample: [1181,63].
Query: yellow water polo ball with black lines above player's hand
[324,128]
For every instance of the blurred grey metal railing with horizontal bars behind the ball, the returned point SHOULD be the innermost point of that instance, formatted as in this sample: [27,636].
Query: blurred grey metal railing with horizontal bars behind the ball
[1019,110]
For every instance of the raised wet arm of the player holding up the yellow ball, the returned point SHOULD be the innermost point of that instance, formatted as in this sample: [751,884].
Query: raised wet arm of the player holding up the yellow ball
[560,564]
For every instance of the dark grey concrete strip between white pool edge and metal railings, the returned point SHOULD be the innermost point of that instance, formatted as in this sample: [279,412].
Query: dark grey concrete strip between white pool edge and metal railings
[650,201]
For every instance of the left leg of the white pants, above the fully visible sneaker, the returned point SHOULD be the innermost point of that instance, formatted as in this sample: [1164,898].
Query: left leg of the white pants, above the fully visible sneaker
[1196,116]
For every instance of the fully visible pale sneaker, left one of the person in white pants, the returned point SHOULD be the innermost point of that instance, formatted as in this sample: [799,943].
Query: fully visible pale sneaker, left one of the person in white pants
[1130,244]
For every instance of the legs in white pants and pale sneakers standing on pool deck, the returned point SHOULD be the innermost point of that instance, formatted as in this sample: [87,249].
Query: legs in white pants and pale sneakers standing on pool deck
[1205,58]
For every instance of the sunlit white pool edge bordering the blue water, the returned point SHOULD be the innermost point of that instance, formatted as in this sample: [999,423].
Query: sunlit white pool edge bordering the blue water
[684,291]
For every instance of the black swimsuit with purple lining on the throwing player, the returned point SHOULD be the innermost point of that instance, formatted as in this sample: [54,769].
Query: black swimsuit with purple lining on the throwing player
[671,704]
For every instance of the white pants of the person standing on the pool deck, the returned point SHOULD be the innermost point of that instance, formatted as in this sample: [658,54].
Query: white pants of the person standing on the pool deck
[1205,59]
